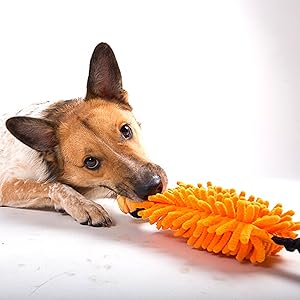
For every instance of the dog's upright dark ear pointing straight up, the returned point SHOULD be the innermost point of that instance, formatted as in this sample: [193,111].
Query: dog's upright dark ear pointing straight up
[105,80]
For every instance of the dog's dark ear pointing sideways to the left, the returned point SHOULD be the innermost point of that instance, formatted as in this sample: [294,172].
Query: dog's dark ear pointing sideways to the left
[36,133]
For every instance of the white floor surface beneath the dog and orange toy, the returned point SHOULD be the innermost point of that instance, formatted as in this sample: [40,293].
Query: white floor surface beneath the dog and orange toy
[46,255]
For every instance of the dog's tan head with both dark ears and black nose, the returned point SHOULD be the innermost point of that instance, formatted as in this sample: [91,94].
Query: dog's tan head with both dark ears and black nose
[94,142]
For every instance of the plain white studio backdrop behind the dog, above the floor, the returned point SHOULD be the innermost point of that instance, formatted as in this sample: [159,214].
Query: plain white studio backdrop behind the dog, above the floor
[214,83]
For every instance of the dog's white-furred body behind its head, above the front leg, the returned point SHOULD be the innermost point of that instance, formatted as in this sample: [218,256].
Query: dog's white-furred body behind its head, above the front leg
[16,159]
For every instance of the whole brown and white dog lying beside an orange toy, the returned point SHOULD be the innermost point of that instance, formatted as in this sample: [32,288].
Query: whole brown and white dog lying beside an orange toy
[64,155]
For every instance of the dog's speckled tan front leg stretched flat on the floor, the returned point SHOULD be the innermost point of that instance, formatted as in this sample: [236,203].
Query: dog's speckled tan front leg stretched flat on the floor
[33,194]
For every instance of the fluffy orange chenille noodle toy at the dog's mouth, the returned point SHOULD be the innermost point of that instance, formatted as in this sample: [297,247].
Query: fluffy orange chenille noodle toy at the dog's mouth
[220,220]
